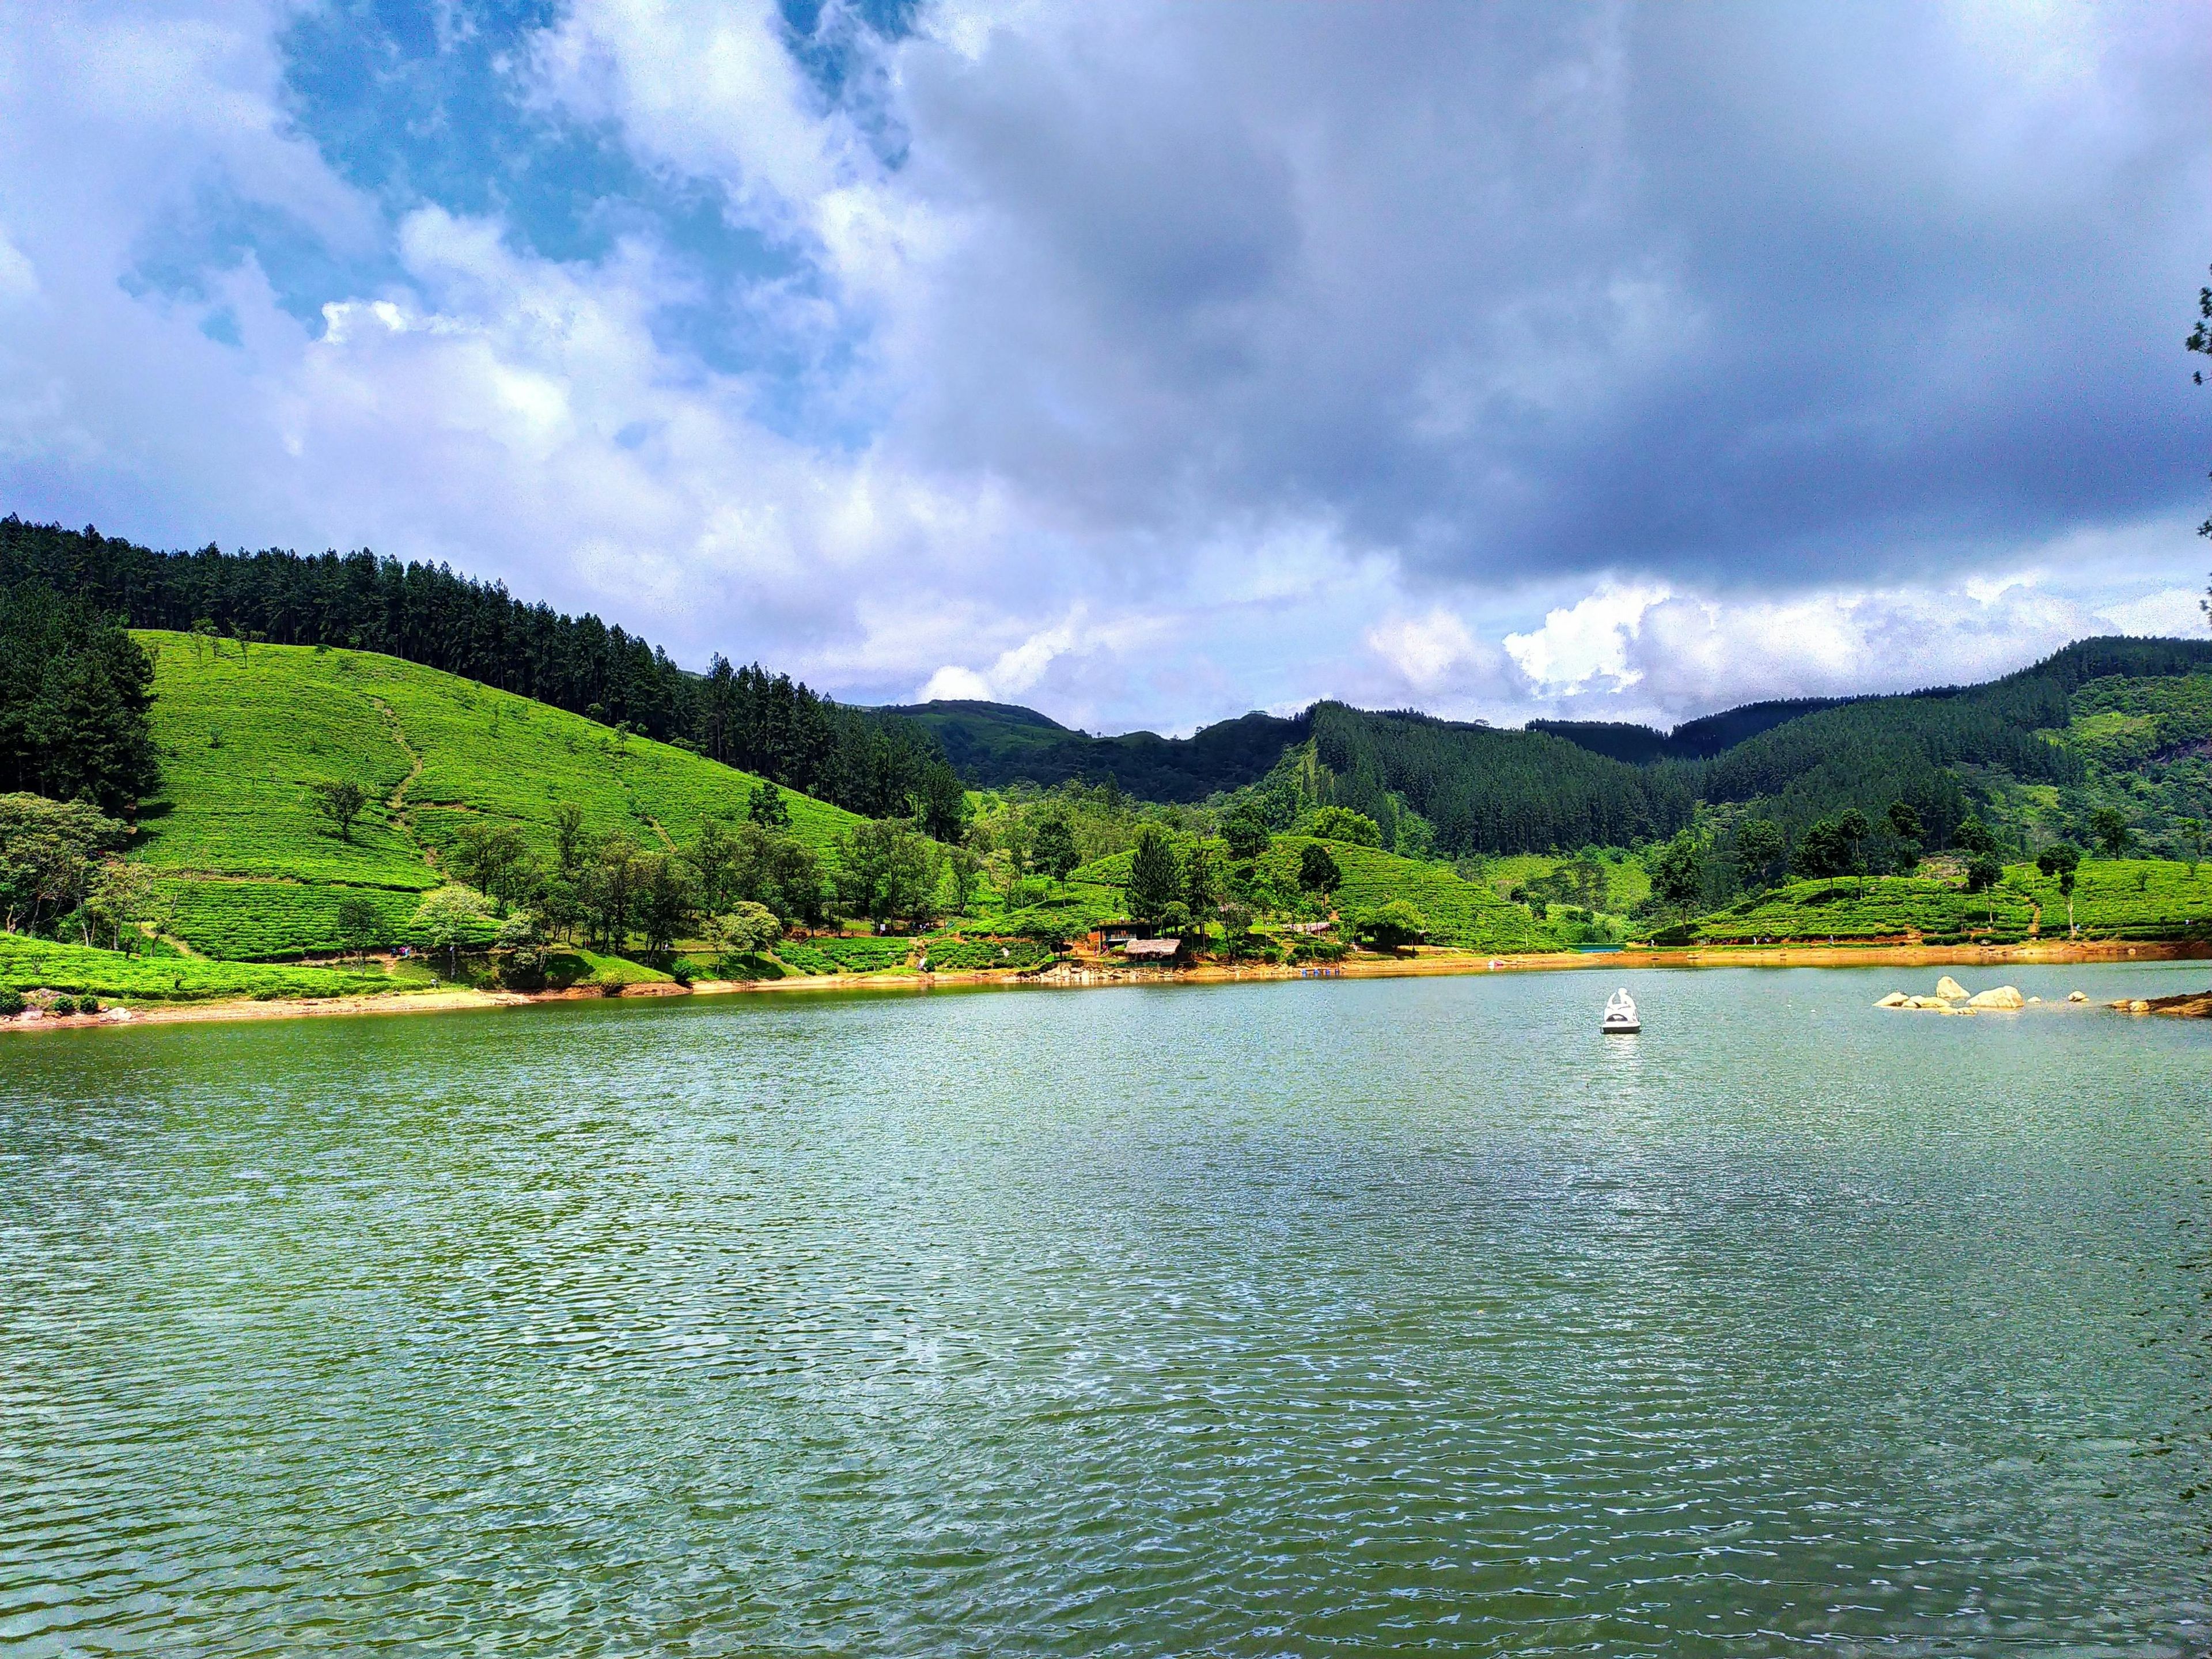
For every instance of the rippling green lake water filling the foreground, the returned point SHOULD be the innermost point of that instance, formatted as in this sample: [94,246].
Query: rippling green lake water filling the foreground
[1255,1319]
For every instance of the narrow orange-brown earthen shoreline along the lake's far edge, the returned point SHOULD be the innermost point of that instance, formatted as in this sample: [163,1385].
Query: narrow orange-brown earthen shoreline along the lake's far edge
[1100,974]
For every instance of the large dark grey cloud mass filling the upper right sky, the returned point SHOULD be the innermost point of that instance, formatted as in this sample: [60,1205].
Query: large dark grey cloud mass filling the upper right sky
[1740,295]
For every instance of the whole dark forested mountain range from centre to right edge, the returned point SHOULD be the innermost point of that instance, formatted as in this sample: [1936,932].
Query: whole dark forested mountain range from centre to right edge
[2023,751]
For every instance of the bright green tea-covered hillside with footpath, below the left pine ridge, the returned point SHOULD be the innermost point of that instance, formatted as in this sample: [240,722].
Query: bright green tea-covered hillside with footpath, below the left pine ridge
[242,733]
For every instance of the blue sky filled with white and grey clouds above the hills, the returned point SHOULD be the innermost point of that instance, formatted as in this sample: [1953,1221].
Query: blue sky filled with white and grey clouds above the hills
[1147,364]
